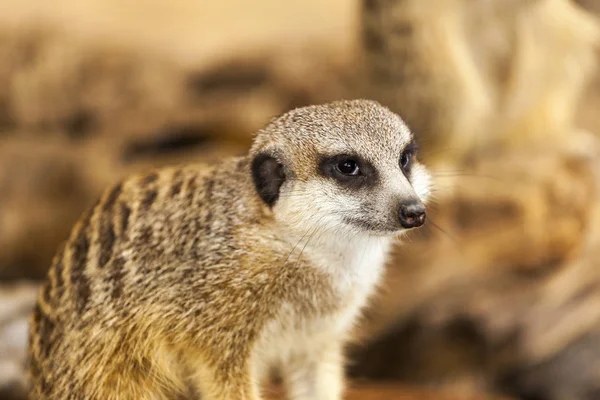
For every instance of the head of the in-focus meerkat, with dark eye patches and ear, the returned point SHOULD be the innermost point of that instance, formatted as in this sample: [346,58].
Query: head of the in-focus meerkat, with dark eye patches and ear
[346,166]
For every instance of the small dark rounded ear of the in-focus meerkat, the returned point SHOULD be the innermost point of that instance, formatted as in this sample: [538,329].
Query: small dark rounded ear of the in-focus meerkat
[268,176]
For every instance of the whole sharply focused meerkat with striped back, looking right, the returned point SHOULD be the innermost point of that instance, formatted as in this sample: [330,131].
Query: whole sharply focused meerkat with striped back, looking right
[195,281]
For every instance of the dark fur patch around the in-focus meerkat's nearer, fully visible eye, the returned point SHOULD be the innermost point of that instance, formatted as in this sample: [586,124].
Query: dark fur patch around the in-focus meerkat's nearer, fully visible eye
[348,170]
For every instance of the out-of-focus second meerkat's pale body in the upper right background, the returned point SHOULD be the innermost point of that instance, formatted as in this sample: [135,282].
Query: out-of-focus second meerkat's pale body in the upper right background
[470,76]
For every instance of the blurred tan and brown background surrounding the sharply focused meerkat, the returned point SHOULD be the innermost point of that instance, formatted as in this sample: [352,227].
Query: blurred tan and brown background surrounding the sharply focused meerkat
[498,295]
